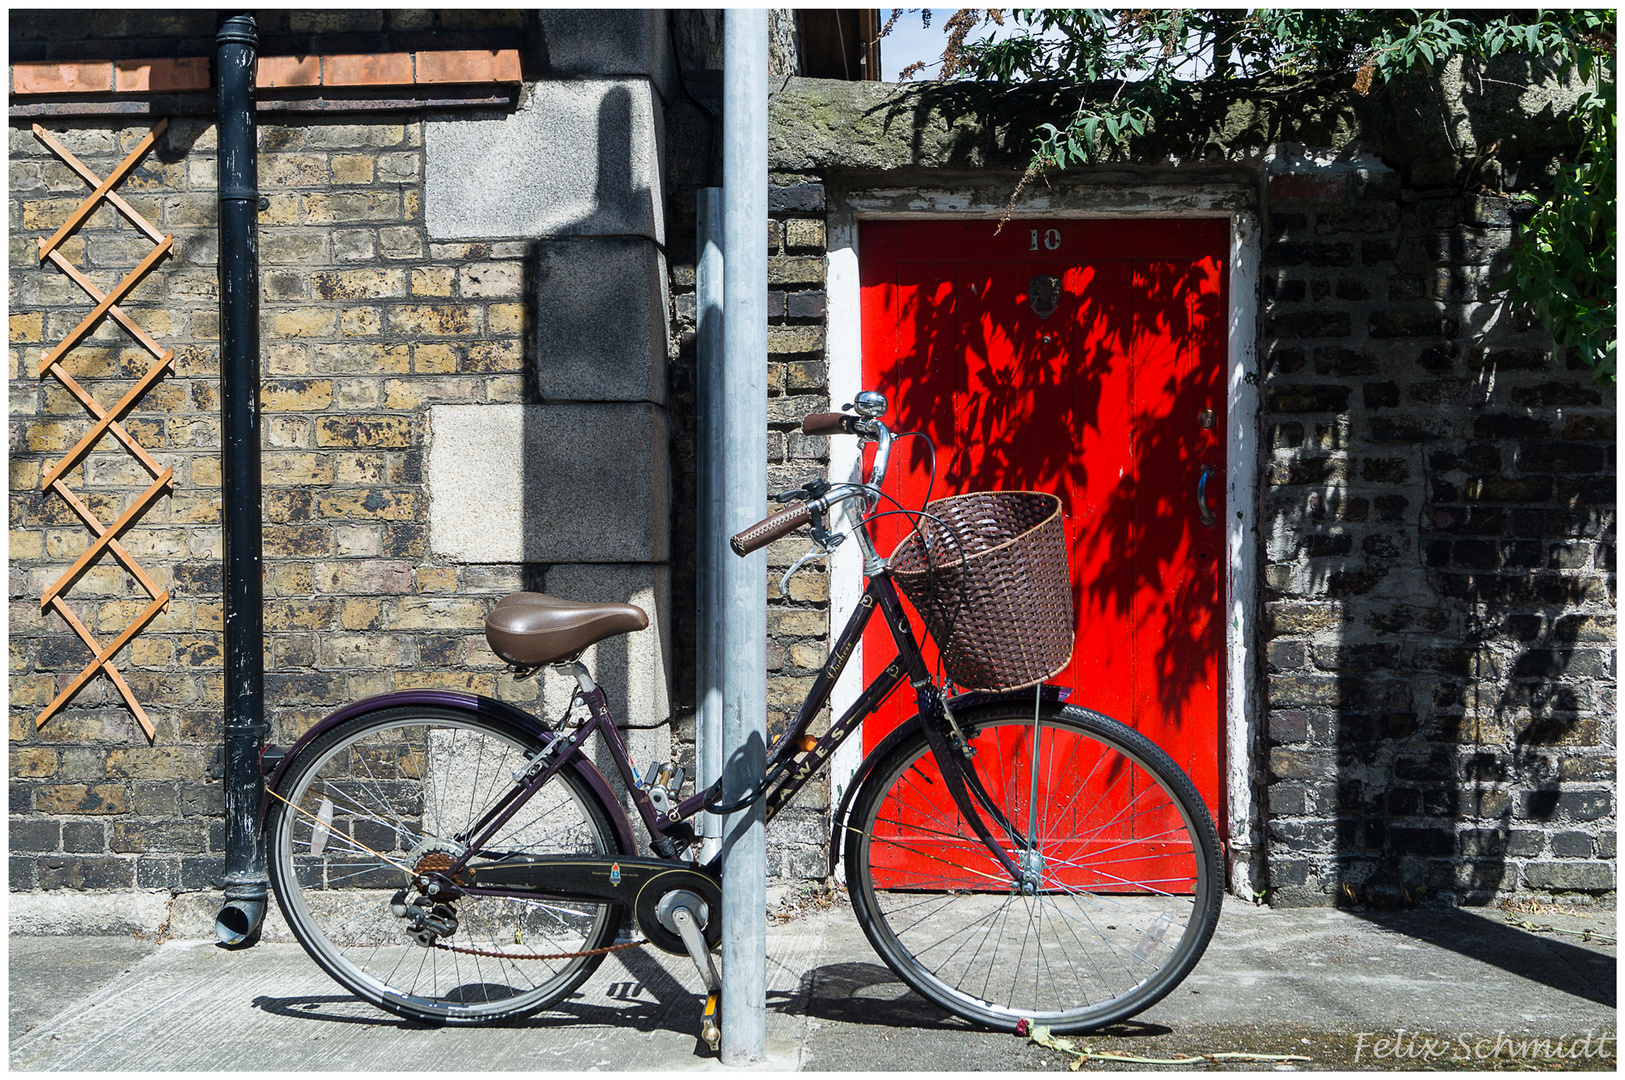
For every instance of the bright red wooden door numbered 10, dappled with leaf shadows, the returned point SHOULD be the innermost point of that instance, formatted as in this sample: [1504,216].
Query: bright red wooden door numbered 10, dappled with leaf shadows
[1088,360]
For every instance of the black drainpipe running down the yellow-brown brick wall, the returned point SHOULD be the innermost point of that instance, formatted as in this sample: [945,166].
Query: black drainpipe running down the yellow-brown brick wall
[238,923]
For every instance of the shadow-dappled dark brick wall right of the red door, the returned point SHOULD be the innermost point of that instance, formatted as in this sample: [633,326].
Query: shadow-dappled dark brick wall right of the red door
[1439,558]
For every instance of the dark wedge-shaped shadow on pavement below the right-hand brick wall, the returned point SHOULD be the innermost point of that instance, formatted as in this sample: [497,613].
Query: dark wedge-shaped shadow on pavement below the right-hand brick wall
[1582,972]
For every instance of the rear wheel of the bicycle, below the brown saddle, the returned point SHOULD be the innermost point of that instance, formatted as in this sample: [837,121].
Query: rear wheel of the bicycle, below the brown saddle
[399,785]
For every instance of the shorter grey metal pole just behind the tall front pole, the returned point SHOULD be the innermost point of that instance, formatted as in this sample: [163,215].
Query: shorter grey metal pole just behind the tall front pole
[709,504]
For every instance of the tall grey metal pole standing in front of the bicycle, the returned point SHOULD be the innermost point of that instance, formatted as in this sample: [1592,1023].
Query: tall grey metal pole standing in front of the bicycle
[745,490]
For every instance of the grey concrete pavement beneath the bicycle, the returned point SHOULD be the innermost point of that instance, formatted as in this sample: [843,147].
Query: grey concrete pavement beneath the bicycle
[1289,982]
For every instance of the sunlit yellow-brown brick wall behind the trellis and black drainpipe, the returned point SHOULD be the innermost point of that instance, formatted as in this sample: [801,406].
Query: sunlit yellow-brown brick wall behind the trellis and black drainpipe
[365,322]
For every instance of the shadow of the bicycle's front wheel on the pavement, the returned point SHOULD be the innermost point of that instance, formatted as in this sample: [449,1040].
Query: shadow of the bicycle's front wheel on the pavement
[869,995]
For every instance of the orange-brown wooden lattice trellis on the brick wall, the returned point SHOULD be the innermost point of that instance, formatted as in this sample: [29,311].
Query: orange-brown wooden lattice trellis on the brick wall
[105,537]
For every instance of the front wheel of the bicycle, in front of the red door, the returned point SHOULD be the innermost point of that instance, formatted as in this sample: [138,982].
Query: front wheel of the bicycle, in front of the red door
[1085,951]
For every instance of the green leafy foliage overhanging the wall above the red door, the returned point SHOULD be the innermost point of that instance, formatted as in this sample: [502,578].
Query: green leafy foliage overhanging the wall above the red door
[1130,67]
